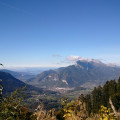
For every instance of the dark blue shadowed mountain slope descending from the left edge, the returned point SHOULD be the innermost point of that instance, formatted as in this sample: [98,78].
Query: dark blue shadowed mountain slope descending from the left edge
[11,83]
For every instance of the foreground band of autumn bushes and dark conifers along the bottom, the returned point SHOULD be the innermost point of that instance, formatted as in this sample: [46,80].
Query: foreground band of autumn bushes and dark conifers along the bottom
[102,104]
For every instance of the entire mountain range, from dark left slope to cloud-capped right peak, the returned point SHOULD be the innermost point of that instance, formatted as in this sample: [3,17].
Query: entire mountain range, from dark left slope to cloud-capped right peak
[84,73]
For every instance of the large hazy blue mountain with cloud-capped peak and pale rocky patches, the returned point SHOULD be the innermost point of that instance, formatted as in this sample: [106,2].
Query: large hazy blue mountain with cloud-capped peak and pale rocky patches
[84,73]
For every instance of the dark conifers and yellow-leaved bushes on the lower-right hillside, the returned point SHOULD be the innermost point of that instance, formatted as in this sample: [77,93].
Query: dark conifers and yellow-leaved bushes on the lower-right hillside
[102,104]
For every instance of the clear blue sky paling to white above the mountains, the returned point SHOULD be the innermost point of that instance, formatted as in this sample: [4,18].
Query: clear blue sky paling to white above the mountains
[45,33]
